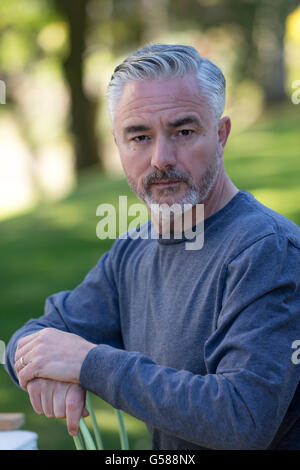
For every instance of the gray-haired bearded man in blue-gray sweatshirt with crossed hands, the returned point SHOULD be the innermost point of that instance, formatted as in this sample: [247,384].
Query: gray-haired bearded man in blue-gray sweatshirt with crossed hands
[196,343]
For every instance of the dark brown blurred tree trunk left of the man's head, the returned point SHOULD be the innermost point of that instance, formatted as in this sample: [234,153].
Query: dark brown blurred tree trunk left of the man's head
[83,108]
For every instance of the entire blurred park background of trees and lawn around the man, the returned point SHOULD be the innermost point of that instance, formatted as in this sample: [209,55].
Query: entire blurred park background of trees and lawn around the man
[57,156]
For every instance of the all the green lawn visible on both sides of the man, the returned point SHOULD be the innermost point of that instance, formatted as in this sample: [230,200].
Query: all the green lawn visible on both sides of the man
[53,247]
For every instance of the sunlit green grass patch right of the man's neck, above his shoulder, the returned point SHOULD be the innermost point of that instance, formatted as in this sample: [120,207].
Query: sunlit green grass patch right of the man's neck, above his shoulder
[265,160]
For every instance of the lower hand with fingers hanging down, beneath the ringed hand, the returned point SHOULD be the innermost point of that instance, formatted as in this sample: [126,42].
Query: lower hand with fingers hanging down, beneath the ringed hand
[58,400]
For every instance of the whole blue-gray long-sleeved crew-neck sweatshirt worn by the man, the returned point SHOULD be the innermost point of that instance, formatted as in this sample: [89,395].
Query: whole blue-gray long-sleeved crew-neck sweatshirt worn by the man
[195,343]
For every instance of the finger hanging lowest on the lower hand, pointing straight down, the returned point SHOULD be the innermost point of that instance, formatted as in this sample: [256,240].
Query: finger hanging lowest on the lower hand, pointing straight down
[75,401]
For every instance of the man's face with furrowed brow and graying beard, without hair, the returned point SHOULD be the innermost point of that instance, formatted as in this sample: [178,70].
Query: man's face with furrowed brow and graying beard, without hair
[168,141]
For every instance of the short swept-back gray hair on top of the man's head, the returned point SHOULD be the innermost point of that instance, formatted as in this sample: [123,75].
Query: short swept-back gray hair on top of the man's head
[168,61]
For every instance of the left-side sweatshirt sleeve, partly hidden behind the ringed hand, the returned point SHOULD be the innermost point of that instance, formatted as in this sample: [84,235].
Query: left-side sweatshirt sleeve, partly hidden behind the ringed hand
[91,311]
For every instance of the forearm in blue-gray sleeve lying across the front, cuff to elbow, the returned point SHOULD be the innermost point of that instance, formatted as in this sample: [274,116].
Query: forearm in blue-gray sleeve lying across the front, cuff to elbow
[206,410]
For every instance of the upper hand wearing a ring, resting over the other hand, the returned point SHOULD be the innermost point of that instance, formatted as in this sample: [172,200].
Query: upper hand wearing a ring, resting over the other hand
[50,354]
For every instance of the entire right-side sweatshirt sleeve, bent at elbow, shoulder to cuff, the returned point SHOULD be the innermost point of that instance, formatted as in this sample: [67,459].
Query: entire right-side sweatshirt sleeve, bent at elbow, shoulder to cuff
[251,379]
